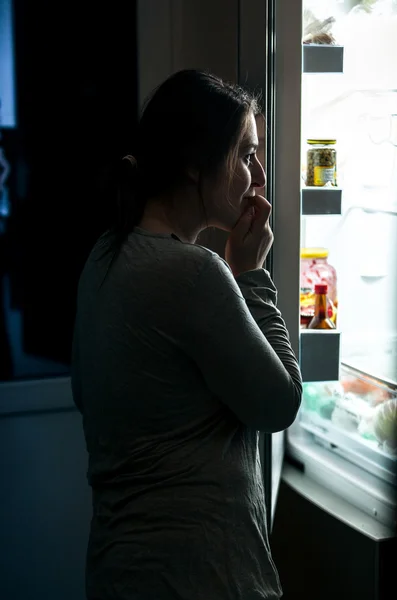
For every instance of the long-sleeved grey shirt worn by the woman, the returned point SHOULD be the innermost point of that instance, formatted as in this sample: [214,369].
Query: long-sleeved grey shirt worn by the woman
[176,367]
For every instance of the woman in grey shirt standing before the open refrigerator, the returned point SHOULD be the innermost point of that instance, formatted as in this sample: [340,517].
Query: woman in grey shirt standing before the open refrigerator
[180,358]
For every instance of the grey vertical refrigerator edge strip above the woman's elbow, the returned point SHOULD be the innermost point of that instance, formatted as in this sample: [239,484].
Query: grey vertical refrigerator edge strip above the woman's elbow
[287,209]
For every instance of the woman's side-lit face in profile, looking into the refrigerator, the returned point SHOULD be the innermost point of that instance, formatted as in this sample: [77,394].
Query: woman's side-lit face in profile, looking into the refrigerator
[225,202]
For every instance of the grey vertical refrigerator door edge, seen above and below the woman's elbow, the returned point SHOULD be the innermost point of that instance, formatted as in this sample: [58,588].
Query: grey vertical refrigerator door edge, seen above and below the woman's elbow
[283,93]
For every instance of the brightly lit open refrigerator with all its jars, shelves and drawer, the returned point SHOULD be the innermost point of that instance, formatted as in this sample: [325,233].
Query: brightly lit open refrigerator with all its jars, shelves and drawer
[346,432]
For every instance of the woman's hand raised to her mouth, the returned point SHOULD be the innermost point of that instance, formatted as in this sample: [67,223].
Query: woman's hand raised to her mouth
[251,238]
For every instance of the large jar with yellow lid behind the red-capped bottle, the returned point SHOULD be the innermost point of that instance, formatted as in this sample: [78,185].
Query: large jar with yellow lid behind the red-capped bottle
[315,269]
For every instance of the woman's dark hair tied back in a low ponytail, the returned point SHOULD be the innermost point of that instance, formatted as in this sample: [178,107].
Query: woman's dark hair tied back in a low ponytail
[193,120]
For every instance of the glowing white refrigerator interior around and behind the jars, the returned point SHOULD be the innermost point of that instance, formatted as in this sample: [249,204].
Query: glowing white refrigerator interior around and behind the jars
[354,415]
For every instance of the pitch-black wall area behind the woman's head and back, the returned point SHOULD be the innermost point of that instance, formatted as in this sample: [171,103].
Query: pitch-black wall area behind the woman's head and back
[77,111]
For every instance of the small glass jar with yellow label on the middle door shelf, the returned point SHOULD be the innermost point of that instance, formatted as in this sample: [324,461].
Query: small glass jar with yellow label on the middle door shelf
[321,163]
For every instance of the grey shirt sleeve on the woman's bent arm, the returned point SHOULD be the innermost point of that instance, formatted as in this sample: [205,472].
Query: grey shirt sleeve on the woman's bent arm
[237,337]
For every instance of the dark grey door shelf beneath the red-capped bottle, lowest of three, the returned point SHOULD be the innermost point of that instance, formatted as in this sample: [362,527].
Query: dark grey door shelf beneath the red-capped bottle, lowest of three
[319,355]
